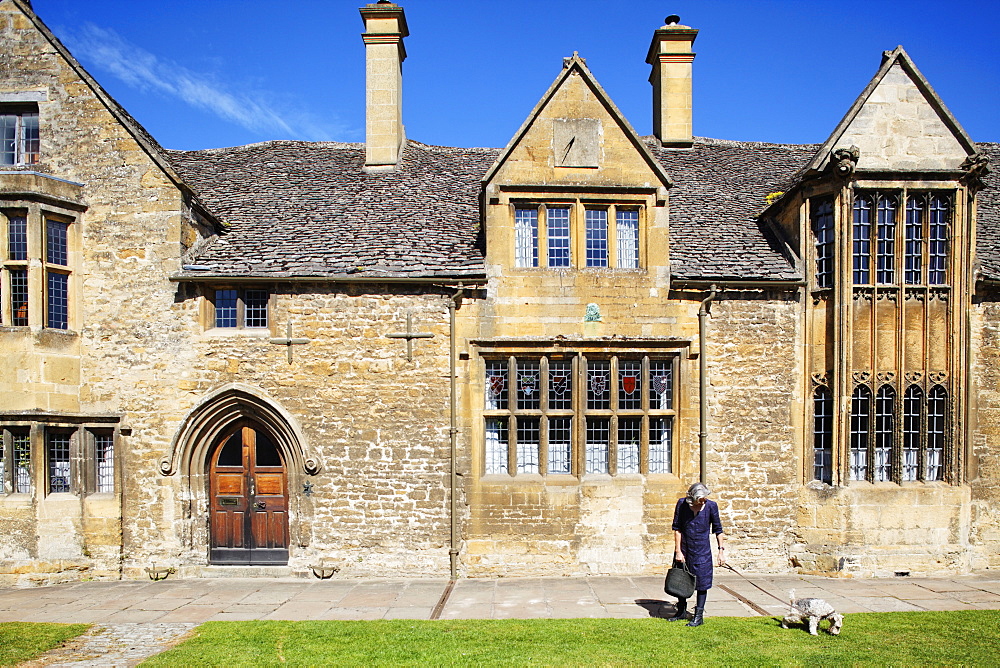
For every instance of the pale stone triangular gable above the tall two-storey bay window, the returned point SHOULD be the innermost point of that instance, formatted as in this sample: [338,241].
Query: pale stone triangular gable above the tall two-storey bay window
[899,124]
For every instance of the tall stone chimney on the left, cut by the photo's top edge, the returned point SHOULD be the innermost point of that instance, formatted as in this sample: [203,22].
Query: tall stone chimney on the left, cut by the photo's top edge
[385,28]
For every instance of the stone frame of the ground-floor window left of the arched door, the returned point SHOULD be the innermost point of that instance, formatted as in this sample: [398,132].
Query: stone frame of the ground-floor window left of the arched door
[83,477]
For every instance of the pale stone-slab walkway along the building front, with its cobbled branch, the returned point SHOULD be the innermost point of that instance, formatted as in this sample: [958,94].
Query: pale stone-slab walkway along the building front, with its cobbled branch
[136,619]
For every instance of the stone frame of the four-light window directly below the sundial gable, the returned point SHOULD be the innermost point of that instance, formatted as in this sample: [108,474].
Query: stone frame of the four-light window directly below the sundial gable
[531,233]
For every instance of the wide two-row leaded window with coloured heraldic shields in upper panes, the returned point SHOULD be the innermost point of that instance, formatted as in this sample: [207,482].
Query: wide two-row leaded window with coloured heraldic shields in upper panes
[536,423]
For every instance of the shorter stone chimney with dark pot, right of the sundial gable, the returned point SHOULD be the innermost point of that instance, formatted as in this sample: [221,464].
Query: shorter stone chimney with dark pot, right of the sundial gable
[671,57]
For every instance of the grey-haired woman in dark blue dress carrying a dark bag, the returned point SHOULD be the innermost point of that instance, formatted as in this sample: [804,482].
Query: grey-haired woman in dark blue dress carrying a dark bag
[696,517]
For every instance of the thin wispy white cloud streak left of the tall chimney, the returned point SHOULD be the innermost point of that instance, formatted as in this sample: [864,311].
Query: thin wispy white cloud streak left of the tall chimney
[258,111]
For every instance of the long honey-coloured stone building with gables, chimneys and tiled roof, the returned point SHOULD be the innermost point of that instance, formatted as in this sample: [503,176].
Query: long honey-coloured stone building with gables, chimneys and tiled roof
[396,358]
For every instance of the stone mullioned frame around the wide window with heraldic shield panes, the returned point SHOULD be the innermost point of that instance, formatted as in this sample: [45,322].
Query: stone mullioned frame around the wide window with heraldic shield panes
[578,413]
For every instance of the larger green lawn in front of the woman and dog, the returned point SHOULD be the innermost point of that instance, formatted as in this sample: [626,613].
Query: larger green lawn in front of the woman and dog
[884,639]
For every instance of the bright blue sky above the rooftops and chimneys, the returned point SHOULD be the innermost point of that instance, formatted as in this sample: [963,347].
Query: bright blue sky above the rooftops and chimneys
[210,73]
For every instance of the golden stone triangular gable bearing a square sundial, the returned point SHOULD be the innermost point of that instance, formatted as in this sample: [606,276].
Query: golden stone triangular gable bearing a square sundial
[576,137]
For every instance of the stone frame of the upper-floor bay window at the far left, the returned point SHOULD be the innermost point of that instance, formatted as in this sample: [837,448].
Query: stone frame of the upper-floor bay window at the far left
[37,267]
